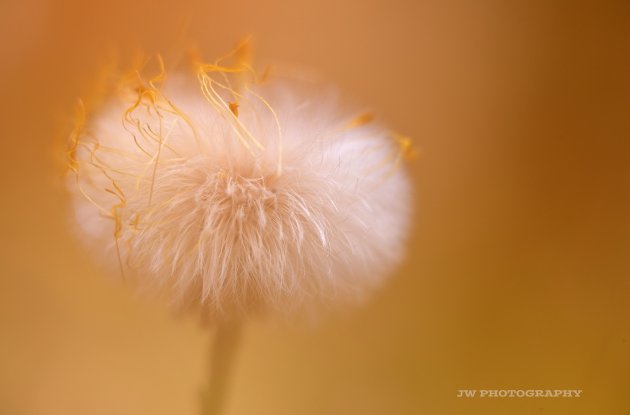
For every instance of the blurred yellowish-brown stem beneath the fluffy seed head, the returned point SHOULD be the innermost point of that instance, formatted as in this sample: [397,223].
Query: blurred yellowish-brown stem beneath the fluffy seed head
[222,352]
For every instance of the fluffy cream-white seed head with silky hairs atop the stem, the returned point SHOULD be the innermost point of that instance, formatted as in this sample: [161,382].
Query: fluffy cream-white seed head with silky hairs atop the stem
[274,205]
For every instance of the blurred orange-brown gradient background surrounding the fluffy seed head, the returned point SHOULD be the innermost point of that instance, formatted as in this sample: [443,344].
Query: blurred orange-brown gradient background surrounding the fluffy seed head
[519,267]
